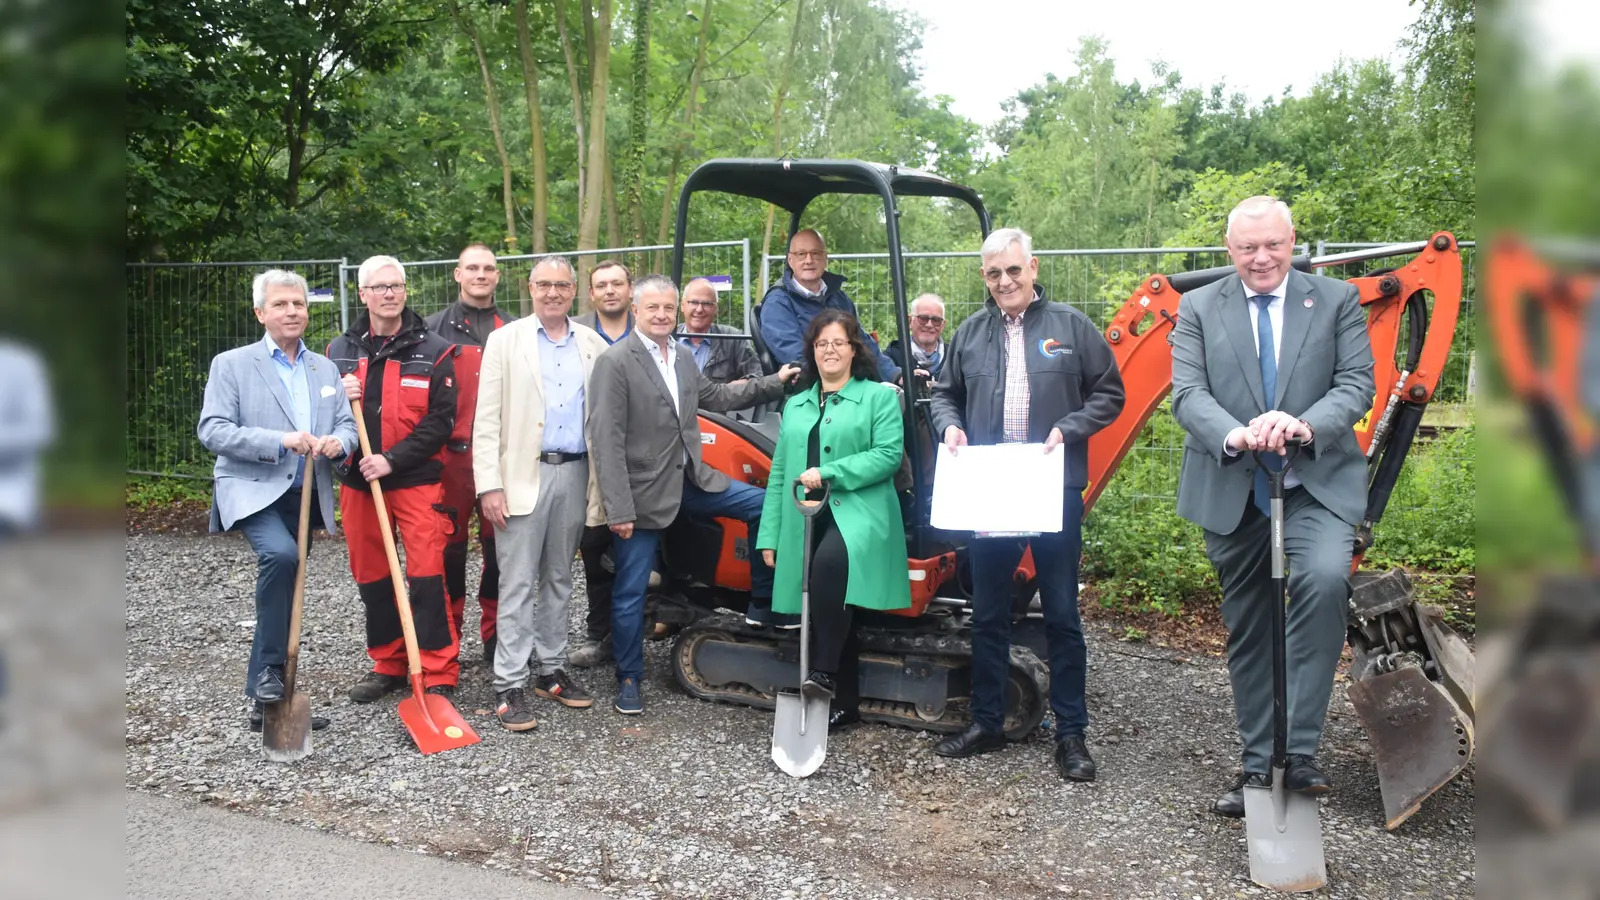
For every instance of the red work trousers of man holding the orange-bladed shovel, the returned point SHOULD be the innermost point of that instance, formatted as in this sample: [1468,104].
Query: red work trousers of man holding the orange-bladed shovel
[423,528]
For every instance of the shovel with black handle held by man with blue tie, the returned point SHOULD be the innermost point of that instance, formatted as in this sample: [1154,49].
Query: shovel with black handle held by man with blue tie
[1282,827]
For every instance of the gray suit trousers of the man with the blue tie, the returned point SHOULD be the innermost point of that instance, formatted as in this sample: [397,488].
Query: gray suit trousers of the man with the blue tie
[1319,547]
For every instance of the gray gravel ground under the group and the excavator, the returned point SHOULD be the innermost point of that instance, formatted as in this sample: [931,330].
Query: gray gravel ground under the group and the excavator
[686,802]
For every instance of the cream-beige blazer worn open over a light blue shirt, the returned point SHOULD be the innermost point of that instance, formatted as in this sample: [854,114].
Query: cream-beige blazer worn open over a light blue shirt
[508,428]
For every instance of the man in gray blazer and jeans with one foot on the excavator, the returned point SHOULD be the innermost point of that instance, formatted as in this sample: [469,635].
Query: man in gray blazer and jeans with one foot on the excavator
[647,452]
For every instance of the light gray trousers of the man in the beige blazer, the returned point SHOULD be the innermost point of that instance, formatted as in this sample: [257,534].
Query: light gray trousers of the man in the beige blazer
[538,548]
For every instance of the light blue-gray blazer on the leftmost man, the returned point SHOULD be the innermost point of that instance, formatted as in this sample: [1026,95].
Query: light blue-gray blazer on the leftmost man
[246,416]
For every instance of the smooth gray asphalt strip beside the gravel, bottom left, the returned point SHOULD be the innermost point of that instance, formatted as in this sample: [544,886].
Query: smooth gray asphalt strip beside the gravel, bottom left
[183,850]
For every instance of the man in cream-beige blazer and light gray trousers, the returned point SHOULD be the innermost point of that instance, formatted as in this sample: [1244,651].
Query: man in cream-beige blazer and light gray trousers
[537,486]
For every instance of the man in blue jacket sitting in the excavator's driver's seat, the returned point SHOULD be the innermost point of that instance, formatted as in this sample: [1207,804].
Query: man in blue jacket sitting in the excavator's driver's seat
[806,291]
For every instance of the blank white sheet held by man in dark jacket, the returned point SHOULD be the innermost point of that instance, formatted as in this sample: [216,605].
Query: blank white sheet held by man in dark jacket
[999,488]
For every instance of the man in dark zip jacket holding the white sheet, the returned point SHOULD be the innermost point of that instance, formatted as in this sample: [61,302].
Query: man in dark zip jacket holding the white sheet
[1028,371]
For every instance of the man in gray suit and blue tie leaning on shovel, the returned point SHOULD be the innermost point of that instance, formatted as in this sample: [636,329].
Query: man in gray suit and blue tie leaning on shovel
[1262,360]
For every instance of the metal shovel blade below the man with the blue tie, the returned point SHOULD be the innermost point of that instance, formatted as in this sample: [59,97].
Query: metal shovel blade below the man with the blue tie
[1286,838]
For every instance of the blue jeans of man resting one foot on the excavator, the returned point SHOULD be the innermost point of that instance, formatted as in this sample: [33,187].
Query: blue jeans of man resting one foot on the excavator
[636,556]
